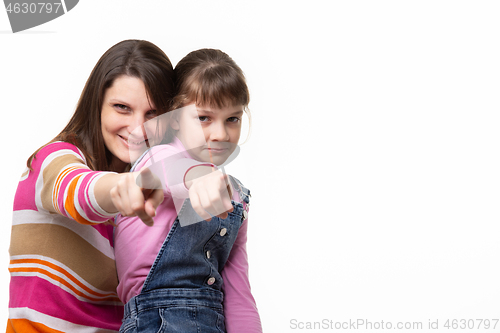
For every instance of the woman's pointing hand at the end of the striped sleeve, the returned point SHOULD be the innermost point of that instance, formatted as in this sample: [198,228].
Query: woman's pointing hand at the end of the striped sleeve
[138,194]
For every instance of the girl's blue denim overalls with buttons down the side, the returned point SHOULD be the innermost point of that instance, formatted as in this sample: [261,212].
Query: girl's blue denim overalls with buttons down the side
[182,292]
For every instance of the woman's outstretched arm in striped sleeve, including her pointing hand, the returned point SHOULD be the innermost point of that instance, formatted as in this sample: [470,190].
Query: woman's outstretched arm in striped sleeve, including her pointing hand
[64,184]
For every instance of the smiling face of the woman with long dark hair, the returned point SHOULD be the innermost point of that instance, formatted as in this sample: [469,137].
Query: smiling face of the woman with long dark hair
[126,108]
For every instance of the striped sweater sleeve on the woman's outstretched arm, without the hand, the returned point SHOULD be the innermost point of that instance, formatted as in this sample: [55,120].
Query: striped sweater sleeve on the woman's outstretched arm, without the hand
[65,184]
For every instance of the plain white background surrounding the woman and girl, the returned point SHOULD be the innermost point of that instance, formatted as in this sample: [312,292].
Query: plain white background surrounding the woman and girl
[374,156]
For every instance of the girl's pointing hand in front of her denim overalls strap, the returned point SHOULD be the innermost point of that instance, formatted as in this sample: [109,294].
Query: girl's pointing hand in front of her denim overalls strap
[211,195]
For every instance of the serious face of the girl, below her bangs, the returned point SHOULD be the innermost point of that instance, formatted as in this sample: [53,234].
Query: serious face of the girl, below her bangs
[208,134]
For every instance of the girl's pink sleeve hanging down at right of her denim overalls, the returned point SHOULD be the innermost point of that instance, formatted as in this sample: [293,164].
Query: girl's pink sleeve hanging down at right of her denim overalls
[240,309]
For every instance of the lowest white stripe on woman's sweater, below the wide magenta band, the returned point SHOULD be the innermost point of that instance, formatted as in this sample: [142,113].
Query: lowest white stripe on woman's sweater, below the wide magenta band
[54,323]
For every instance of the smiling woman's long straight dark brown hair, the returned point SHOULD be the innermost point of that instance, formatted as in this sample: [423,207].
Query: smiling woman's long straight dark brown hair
[136,58]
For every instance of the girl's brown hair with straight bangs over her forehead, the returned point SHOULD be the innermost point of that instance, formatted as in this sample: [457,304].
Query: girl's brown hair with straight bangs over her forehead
[210,77]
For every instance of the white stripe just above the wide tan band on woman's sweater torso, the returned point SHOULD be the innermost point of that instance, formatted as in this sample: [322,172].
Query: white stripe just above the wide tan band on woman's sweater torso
[87,232]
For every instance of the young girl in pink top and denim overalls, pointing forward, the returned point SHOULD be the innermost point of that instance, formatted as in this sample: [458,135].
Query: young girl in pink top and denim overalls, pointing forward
[193,278]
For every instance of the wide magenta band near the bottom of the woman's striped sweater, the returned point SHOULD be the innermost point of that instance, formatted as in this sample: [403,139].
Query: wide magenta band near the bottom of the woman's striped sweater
[42,296]
